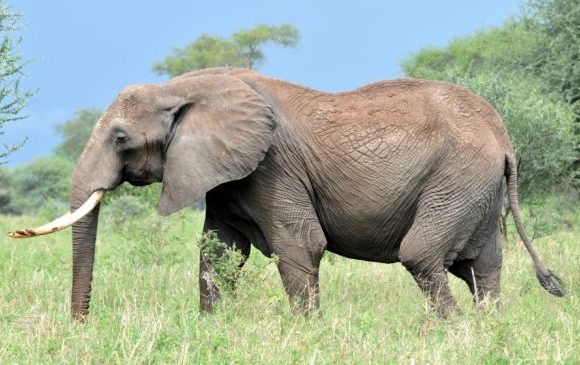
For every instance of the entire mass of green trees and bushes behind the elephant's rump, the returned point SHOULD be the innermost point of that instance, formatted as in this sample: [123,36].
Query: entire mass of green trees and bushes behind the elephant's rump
[528,69]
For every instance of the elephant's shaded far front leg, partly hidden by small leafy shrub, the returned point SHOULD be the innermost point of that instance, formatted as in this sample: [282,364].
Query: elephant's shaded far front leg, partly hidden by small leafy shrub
[209,292]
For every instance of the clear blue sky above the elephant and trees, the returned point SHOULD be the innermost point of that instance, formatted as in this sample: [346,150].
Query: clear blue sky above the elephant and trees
[81,54]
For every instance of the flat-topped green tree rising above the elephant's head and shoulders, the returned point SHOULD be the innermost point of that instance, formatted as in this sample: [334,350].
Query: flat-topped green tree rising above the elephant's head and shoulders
[242,49]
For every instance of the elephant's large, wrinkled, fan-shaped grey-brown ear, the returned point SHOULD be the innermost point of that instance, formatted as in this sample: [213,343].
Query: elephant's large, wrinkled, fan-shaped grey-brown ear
[221,132]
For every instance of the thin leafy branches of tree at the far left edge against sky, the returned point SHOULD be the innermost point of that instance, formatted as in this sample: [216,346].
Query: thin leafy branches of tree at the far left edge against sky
[12,98]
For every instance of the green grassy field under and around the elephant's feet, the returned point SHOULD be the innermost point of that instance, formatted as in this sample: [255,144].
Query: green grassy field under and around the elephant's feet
[145,300]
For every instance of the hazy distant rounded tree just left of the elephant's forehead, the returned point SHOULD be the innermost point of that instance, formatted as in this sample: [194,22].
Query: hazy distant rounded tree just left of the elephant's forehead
[76,132]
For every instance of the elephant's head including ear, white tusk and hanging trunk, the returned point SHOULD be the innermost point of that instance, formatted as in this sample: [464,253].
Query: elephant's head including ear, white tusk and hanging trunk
[192,133]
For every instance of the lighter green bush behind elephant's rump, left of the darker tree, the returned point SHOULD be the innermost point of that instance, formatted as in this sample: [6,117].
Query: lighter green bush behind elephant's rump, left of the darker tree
[500,64]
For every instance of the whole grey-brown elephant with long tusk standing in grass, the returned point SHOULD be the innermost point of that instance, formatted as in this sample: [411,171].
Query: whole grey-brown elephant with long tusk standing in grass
[410,171]
